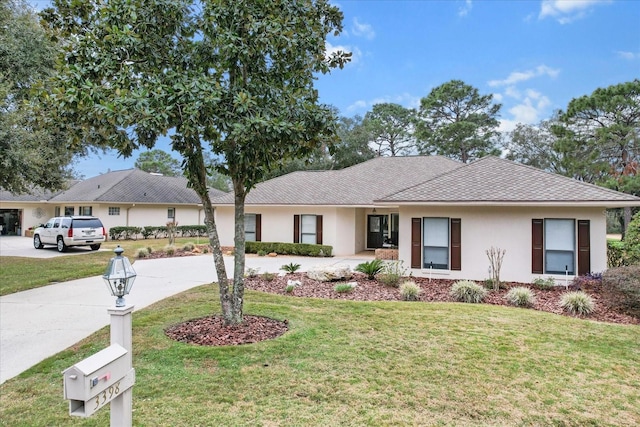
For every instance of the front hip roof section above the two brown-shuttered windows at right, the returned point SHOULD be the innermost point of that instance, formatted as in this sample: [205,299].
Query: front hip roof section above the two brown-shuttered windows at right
[492,180]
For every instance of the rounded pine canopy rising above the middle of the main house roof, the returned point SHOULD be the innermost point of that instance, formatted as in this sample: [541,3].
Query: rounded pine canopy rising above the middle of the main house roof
[457,122]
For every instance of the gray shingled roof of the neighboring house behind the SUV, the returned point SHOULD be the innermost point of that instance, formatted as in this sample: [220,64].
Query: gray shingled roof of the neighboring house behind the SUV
[132,186]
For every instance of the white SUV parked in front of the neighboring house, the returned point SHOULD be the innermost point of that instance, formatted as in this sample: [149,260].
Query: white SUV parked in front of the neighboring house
[65,231]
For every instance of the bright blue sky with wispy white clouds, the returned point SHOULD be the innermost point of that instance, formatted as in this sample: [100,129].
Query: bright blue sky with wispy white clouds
[533,56]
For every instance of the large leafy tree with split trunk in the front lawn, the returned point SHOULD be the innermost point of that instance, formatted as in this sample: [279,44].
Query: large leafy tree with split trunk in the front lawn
[234,78]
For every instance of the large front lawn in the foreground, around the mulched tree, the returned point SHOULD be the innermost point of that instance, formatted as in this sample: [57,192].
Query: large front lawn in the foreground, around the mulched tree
[360,364]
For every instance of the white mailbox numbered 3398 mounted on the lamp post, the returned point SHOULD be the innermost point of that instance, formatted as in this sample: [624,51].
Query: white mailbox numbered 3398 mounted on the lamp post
[95,381]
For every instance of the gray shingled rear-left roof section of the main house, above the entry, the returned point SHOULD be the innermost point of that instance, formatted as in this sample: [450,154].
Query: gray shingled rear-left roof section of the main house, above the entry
[357,185]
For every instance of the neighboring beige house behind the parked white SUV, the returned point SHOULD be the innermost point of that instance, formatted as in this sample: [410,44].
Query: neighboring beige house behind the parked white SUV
[121,198]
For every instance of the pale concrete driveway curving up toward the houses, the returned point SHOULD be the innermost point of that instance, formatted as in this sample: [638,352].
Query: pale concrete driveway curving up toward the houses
[39,323]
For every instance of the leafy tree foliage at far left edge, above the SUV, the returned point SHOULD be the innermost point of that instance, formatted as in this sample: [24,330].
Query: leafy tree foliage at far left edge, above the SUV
[32,154]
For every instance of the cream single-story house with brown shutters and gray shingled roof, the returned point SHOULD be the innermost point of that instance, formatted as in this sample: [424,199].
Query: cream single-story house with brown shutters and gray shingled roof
[442,215]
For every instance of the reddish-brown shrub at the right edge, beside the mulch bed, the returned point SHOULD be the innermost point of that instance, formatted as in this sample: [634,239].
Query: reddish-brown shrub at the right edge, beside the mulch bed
[623,283]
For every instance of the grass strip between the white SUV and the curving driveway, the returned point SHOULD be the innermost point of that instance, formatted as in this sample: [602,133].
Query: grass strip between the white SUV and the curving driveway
[20,274]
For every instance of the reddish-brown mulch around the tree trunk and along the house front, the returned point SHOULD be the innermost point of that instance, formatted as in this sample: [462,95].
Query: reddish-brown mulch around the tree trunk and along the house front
[213,332]
